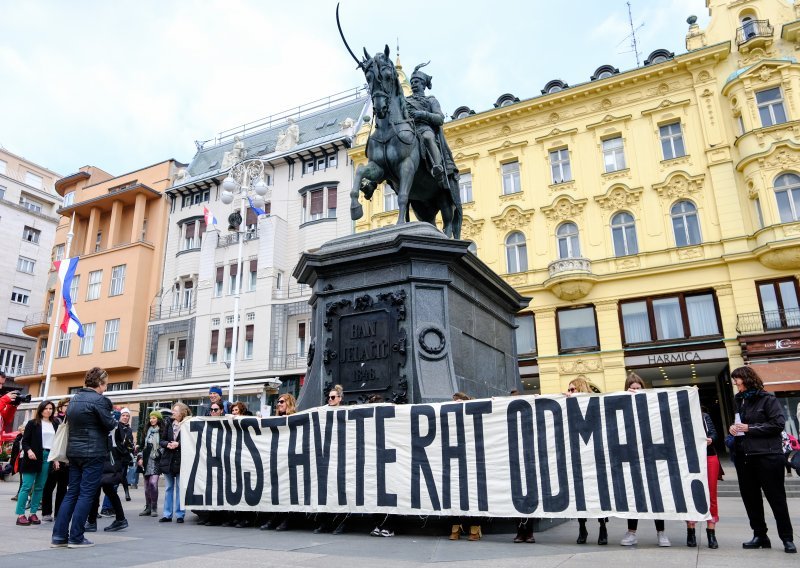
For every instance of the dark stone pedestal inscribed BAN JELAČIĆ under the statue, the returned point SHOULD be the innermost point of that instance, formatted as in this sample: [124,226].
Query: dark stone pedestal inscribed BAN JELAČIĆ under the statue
[409,314]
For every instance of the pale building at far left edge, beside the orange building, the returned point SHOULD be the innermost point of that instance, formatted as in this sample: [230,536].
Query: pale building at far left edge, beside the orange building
[28,220]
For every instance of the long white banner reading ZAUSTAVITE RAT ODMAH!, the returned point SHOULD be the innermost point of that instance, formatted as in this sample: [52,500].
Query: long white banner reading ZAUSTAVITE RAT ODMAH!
[624,455]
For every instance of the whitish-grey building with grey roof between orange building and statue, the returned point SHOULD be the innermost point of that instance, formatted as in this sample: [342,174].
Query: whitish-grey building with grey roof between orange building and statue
[309,176]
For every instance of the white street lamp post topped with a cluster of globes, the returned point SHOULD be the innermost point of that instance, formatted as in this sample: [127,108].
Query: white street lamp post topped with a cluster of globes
[243,178]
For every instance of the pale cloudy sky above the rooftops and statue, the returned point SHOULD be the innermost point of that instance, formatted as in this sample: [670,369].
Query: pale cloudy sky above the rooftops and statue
[124,84]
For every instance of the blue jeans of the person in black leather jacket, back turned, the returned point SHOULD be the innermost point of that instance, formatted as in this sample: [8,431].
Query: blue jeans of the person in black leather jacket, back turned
[85,475]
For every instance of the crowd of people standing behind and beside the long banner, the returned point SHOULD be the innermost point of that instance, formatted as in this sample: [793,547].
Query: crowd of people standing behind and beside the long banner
[101,458]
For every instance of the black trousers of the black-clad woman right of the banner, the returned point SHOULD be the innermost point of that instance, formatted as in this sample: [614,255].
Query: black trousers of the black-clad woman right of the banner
[764,473]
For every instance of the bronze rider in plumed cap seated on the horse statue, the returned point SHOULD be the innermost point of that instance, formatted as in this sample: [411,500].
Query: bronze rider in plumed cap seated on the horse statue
[428,119]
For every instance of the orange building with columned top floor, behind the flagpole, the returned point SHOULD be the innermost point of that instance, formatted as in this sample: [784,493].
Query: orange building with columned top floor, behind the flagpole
[120,226]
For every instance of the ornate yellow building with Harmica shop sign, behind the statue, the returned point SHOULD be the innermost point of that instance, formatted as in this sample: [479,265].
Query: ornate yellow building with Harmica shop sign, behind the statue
[653,215]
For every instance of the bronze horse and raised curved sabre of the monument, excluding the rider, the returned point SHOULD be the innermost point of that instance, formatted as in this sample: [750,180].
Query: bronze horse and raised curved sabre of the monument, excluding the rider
[394,154]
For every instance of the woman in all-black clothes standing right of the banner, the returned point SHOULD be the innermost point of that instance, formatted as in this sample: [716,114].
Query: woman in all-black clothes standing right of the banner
[759,458]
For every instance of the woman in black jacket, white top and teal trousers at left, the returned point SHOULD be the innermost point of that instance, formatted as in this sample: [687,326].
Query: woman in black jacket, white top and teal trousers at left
[36,442]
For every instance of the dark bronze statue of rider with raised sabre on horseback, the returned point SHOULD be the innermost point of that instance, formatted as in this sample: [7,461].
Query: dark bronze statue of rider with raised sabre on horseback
[407,148]
